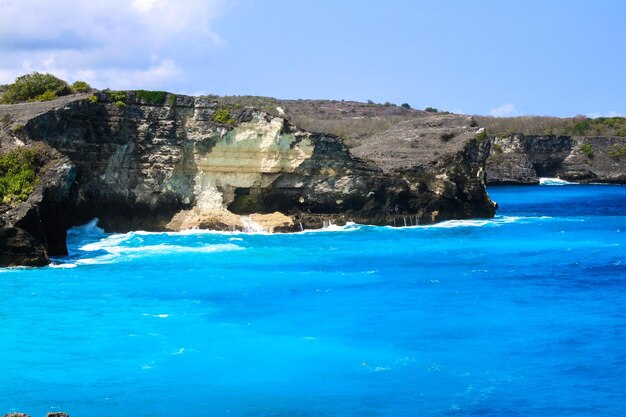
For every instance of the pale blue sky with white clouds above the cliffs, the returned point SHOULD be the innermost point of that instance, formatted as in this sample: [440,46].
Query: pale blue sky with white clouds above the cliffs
[501,58]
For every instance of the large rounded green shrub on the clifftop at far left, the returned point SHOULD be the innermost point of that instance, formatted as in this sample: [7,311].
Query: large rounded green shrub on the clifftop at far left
[30,87]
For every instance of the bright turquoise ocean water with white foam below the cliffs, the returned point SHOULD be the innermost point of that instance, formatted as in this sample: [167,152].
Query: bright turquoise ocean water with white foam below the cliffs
[522,315]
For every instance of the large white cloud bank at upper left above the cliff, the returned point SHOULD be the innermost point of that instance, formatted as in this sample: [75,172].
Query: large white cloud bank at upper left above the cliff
[108,43]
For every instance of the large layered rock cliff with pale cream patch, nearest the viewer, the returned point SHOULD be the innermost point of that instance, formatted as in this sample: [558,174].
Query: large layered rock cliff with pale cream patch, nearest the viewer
[140,160]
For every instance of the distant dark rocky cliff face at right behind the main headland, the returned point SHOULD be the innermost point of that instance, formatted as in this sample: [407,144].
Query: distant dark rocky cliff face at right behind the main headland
[523,159]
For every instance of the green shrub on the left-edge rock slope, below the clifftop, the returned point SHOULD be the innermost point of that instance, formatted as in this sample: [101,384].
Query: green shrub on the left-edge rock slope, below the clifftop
[18,173]
